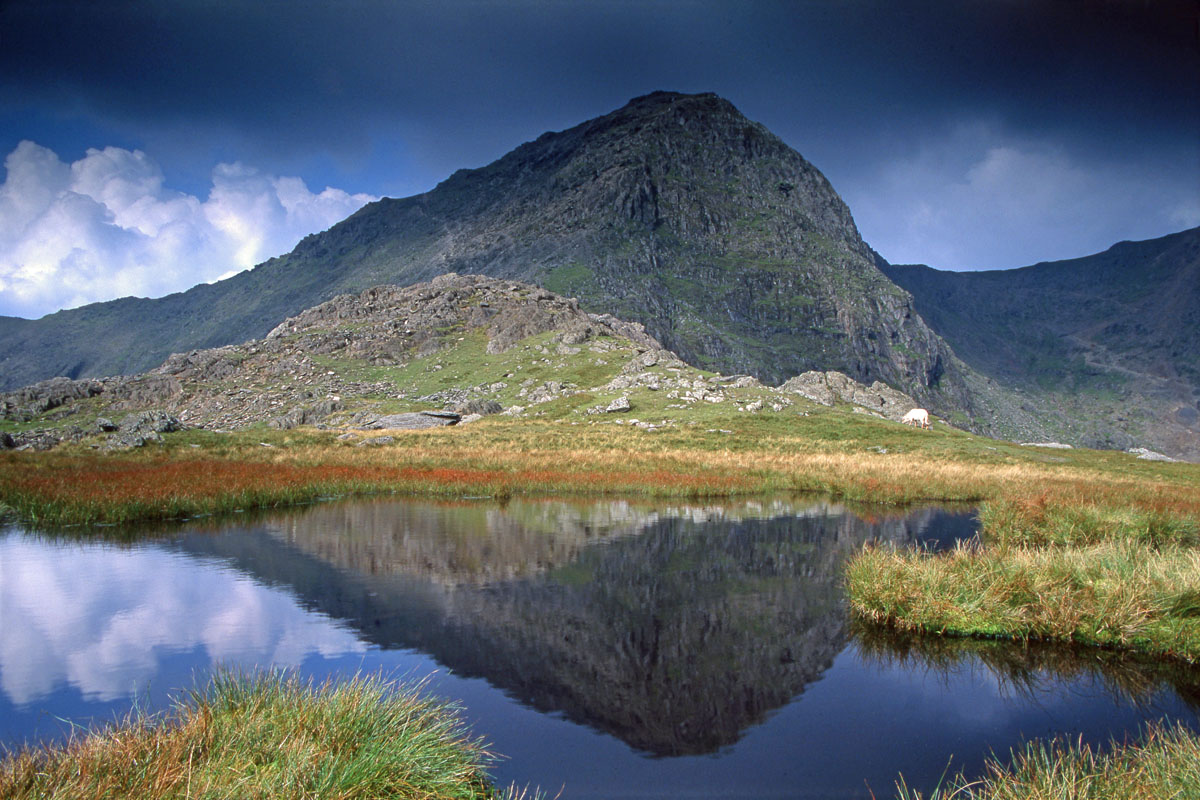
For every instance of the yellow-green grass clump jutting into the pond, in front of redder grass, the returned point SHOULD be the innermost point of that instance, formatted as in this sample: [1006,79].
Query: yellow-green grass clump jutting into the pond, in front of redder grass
[1117,594]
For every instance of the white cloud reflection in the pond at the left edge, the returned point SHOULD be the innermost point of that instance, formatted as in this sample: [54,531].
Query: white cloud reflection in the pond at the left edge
[98,617]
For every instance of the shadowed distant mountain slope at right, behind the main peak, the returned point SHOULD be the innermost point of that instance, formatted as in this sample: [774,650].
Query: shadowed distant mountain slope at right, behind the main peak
[1102,351]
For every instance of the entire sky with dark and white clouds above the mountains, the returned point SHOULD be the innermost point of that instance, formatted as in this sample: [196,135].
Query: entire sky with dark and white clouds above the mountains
[153,146]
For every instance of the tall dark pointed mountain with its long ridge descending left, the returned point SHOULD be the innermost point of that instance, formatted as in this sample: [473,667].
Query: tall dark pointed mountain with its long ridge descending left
[675,212]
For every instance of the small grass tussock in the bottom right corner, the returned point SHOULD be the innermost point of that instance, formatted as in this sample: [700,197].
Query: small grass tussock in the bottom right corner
[1163,766]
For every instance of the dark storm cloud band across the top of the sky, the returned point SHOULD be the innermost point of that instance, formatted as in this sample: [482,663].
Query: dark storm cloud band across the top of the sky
[327,75]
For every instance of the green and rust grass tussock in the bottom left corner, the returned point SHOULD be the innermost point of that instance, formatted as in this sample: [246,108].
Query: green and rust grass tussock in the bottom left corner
[268,737]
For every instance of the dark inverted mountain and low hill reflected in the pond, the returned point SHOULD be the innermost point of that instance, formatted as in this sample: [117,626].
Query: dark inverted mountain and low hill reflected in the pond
[675,640]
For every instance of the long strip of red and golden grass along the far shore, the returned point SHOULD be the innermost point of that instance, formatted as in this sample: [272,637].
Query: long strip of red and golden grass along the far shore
[201,473]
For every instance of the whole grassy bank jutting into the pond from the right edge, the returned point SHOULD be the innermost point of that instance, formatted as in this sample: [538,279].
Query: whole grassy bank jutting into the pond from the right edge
[1114,572]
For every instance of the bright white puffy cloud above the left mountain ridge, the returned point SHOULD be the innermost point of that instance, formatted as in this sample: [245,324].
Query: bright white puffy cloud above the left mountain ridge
[109,227]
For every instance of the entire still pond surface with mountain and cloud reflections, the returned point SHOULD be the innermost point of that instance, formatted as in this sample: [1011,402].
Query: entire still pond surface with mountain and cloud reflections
[614,649]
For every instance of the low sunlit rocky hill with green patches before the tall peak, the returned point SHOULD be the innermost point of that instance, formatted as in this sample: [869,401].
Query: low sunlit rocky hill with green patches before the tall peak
[441,353]
